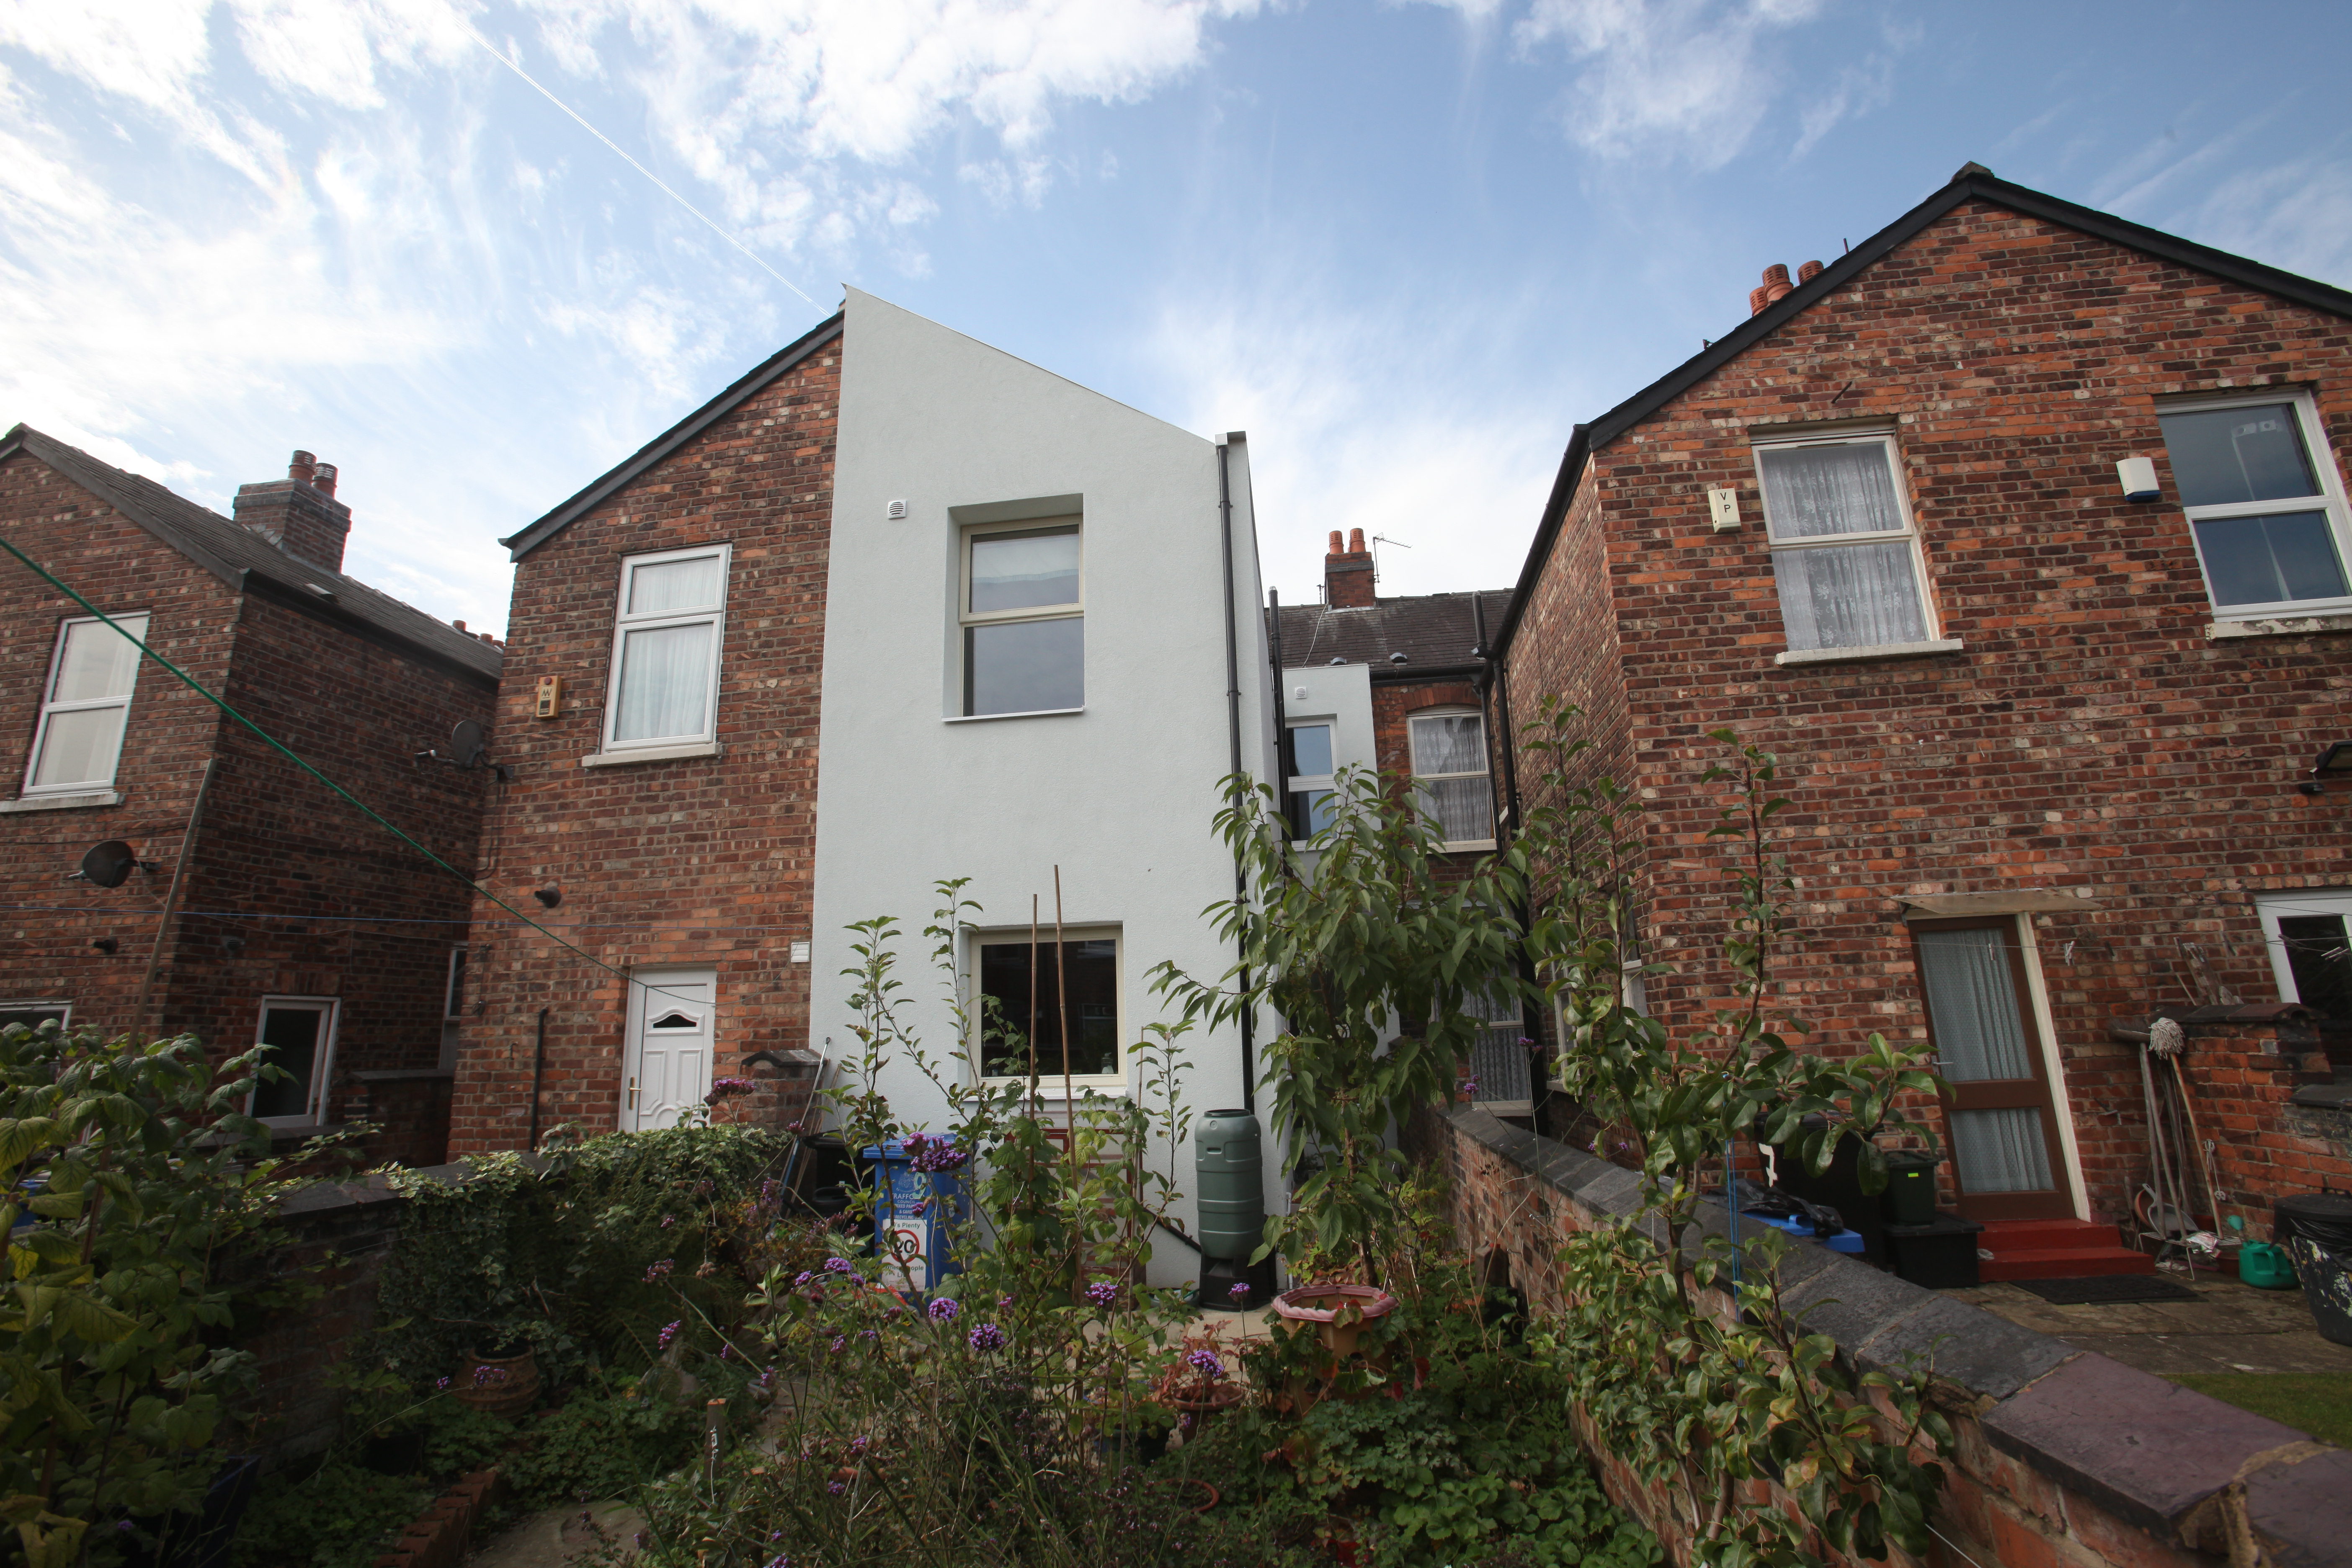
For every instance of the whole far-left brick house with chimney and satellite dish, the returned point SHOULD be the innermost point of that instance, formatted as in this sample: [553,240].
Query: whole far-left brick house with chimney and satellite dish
[262,909]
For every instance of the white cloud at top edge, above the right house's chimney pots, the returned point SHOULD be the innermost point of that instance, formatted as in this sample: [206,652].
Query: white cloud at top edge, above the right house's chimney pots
[1678,79]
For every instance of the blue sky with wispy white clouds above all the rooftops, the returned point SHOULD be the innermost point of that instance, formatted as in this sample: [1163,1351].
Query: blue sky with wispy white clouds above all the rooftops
[476,253]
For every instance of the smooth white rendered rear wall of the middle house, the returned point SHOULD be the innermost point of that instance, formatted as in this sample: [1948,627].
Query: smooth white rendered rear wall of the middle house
[1118,796]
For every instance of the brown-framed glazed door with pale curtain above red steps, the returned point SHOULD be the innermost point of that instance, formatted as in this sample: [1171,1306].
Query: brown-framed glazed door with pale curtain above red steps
[2000,1118]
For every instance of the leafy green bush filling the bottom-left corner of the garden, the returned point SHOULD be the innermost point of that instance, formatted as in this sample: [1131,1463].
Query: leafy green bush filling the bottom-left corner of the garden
[142,1179]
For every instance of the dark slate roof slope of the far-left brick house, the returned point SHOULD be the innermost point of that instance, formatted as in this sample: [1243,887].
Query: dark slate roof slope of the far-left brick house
[236,556]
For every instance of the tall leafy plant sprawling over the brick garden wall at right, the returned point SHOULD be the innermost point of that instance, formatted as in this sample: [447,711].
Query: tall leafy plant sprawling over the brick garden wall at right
[1697,1400]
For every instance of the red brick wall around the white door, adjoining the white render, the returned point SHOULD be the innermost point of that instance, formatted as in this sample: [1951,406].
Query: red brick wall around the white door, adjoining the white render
[700,862]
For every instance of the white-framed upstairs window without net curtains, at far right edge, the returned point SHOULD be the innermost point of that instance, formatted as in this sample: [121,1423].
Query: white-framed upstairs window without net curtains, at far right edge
[2264,502]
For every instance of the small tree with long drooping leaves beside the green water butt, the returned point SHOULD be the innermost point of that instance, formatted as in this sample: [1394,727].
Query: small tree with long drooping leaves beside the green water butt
[1370,951]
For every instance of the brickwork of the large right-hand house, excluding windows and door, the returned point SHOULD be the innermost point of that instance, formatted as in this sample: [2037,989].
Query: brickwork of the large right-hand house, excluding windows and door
[2090,735]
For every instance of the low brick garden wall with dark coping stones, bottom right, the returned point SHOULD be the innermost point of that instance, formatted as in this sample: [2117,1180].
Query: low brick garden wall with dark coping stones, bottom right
[2062,1459]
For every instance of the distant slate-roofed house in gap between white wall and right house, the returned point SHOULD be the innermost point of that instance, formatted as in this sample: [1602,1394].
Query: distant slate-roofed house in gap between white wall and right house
[1398,685]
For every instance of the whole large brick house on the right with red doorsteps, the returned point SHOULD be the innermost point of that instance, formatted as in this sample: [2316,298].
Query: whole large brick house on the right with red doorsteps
[2019,535]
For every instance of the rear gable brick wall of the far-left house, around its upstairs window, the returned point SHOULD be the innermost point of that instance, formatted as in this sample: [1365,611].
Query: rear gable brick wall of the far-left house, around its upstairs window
[46,939]
